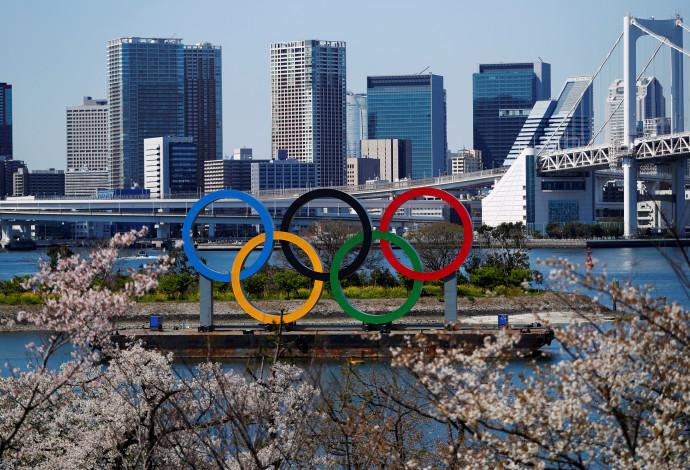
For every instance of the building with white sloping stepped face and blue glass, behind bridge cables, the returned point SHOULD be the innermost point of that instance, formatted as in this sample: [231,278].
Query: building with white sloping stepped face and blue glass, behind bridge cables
[558,124]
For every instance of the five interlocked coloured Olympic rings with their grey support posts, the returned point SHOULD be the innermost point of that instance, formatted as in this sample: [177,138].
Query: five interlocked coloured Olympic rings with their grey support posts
[316,272]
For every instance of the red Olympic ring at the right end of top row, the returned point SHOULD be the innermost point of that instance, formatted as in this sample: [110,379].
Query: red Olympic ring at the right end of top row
[466,240]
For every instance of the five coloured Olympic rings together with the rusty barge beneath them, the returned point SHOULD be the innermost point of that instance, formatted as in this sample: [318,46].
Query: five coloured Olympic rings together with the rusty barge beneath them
[325,340]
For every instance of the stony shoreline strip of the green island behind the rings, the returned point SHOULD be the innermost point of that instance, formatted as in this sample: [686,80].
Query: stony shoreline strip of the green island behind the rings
[554,308]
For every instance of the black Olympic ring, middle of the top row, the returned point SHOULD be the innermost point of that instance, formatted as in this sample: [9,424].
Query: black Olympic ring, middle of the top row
[334,194]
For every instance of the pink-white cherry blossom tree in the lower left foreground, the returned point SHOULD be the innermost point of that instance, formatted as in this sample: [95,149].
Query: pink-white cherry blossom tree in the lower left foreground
[137,410]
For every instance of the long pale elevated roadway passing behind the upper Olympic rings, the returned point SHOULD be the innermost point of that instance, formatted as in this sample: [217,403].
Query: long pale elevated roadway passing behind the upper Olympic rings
[375,199]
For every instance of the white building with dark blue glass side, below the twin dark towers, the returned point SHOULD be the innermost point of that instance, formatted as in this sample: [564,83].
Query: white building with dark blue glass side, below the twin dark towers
[170,167]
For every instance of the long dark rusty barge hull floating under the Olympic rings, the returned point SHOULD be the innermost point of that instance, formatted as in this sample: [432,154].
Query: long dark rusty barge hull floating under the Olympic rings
[325,343]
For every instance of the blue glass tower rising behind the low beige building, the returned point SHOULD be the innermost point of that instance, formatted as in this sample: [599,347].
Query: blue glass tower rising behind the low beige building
[411,107]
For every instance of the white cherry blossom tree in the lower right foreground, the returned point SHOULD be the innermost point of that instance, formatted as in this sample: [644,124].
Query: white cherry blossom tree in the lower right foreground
[619,399]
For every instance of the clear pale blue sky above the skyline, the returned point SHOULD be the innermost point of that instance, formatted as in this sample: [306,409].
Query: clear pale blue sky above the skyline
[54,52]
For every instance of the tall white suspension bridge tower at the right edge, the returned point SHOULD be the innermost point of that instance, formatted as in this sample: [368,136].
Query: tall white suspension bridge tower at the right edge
[633,29]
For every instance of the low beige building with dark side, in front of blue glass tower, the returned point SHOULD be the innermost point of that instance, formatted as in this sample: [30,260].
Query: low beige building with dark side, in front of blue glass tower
[395,157]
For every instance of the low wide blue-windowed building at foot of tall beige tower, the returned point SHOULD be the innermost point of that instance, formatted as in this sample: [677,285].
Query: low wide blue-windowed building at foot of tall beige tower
[282,174]
